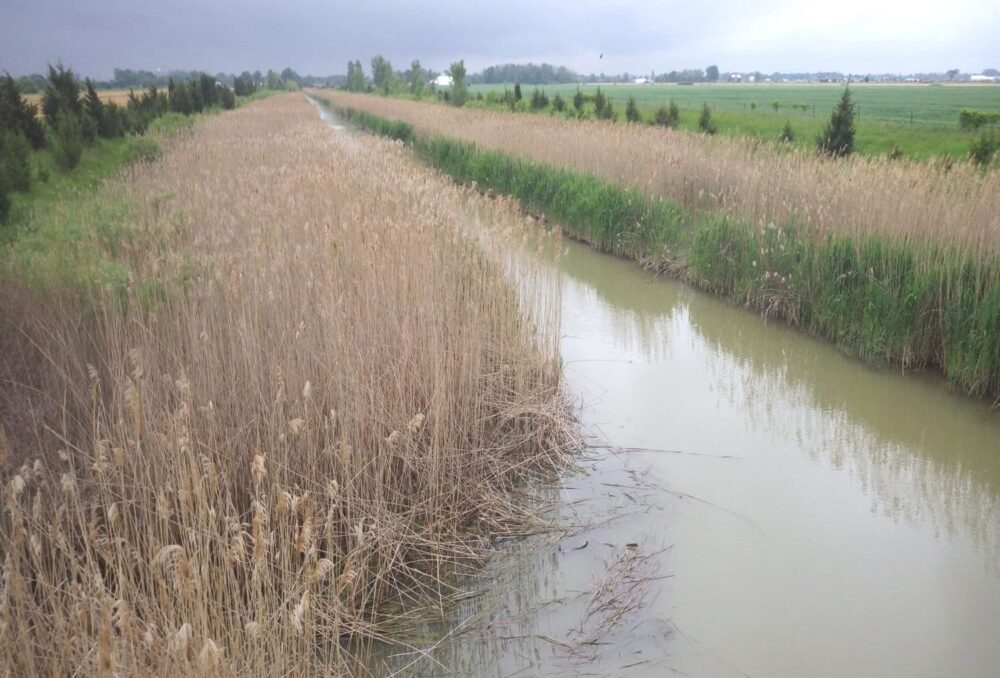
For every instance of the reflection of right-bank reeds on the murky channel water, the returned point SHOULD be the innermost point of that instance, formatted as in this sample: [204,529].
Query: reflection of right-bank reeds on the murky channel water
[918,451]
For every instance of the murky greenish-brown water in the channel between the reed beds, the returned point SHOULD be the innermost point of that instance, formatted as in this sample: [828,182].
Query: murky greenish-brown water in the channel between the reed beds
[756,504]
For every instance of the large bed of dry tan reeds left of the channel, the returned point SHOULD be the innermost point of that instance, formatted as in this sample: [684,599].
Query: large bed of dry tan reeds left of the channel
[330,403]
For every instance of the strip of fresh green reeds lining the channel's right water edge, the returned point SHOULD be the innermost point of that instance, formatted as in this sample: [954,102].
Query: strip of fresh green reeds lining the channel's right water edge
[880,295]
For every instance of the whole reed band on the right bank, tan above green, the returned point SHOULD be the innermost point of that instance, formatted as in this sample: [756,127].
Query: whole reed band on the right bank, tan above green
[896,262]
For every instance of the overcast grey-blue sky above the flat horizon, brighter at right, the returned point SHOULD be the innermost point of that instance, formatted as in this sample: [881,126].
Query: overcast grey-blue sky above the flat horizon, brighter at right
[318,37]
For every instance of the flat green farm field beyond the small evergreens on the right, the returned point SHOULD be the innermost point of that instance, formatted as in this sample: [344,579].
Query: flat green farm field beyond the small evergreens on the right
[920,120]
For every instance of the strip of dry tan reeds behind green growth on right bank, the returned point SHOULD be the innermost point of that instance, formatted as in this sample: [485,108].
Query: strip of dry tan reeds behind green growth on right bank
[948,204]
